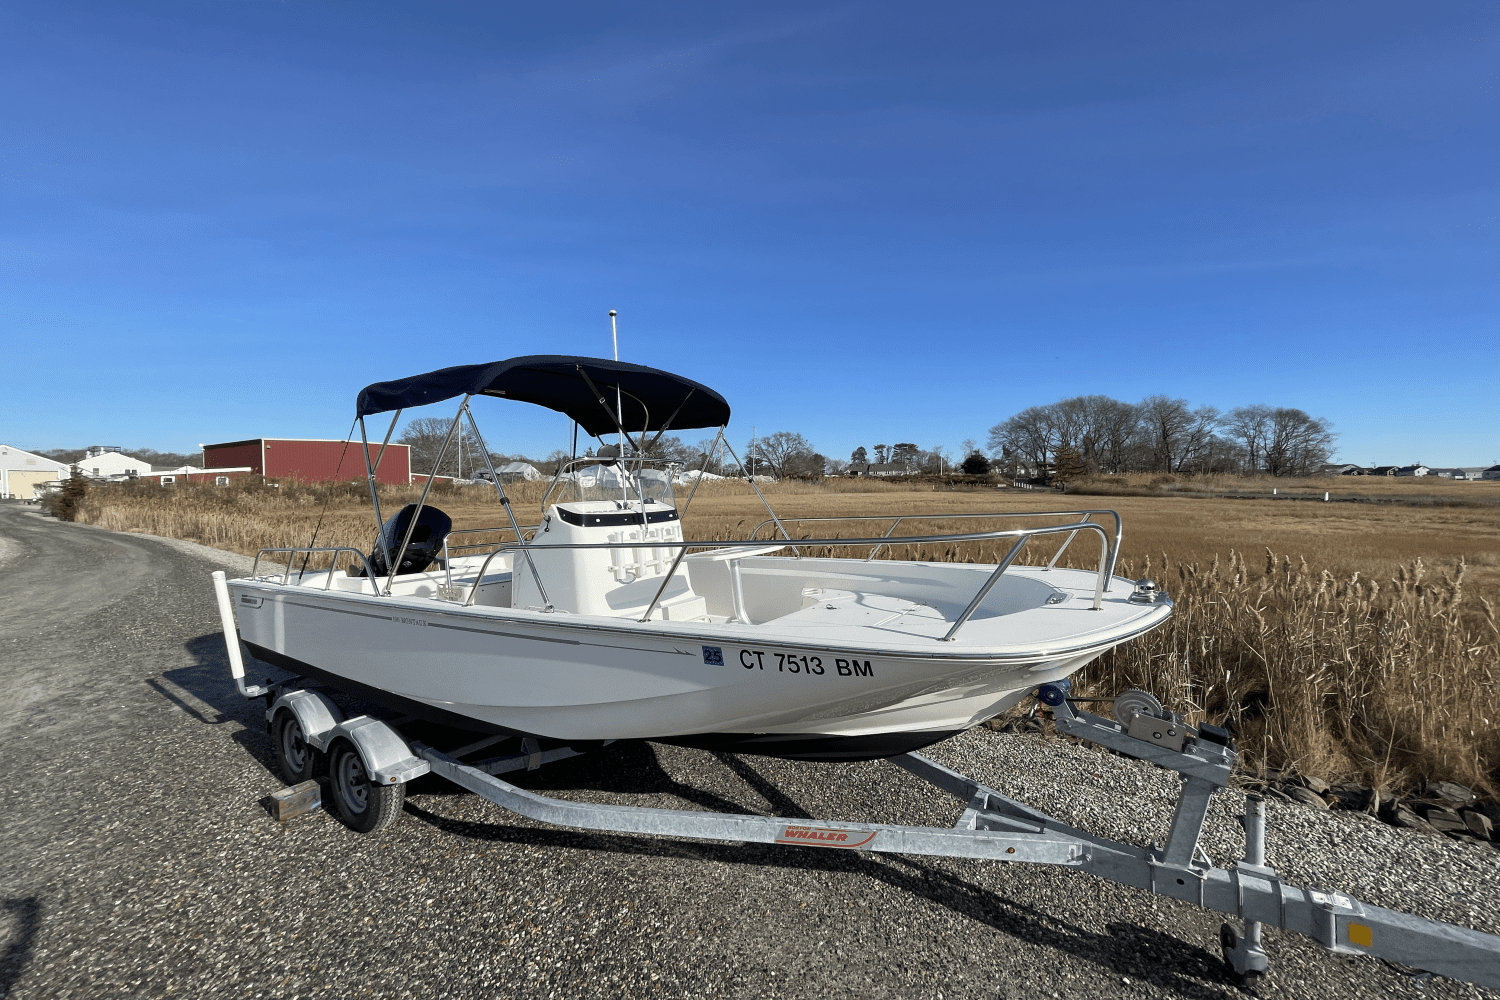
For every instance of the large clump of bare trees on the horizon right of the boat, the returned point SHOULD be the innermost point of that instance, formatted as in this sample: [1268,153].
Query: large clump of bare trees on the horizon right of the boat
[1160,434]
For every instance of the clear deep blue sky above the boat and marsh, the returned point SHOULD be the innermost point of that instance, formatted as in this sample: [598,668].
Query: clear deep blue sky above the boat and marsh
[863,223]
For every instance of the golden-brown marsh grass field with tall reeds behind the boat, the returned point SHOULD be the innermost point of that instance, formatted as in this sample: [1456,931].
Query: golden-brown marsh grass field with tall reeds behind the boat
[1343,641]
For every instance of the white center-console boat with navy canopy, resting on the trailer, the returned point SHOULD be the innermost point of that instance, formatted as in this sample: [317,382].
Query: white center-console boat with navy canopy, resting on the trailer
[602,621]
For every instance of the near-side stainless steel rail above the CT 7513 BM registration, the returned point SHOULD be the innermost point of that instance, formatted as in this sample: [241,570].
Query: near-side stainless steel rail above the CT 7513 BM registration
[1021,534]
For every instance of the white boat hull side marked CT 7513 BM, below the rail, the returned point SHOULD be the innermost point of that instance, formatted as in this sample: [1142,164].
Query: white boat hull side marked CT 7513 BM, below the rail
[580,678]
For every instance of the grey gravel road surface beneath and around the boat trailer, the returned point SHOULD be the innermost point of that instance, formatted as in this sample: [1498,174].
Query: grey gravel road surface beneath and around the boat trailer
[140,860]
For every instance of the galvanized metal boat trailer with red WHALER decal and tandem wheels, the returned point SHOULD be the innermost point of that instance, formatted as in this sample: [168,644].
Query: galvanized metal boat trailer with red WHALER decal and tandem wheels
[370,762]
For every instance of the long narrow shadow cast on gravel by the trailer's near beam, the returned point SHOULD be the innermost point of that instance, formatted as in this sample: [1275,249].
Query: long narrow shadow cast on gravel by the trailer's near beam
[1124,950]
